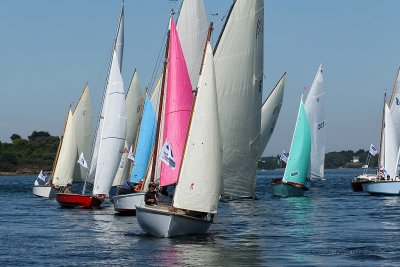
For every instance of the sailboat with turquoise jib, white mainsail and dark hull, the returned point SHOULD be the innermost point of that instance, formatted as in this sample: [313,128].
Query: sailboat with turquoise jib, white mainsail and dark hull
[307,151]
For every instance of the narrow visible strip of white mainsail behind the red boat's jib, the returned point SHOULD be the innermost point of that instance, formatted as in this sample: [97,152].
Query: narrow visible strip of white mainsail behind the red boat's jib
[118,49]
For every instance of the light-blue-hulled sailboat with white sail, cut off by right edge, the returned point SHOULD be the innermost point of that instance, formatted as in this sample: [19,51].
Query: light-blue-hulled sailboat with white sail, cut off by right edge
[387,181]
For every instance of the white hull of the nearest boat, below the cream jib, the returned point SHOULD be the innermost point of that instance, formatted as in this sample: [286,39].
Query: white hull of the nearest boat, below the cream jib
[159,221]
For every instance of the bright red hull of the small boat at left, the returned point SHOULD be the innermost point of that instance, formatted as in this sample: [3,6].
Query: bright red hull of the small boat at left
[76,200]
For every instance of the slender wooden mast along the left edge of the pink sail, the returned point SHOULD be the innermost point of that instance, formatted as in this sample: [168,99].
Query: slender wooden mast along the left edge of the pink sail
[153,169]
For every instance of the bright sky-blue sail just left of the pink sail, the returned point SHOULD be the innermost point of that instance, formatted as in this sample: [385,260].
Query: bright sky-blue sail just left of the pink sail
[145,142]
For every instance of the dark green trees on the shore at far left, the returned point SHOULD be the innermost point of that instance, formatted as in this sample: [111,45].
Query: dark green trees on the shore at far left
[28,156]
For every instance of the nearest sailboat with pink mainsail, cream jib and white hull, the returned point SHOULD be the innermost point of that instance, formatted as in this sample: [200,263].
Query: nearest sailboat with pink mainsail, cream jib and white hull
[196,195]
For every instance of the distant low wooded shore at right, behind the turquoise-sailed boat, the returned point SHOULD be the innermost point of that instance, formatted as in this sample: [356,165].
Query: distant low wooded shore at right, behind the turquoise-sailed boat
[333,160]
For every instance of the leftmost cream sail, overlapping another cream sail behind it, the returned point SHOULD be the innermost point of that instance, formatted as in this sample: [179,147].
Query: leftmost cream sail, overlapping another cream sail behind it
[67,156]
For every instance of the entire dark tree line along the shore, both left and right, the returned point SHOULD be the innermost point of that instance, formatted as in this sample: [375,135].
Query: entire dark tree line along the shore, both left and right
[39,150]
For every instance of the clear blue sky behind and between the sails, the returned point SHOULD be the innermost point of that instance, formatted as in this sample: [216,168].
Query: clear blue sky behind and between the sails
[50,49]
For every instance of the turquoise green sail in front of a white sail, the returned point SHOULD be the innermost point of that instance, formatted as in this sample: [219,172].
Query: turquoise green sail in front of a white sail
[299,155]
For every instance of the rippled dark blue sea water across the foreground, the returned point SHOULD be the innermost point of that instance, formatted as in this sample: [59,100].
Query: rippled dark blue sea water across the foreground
[331,226]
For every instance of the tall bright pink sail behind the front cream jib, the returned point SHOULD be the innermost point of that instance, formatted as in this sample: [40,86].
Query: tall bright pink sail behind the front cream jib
[178,106]
